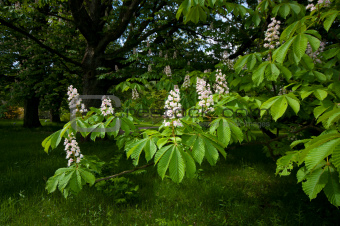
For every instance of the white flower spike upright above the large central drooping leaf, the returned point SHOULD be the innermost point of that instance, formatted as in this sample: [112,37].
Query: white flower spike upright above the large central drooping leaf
[173,109]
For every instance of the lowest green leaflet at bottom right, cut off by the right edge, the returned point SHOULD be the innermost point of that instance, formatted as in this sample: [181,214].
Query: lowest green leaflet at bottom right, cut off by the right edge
[332,188]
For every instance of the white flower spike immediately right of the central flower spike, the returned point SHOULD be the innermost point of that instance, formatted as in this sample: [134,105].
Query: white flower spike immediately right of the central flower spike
[204,95]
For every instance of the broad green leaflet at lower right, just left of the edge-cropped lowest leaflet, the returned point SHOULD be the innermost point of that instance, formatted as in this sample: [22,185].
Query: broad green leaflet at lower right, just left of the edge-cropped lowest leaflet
[315,182]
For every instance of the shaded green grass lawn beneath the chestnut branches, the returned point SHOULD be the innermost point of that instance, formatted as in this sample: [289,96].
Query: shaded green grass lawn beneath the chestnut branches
[241,190]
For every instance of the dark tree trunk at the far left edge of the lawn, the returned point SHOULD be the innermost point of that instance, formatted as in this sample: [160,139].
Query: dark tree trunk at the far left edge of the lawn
[31,115]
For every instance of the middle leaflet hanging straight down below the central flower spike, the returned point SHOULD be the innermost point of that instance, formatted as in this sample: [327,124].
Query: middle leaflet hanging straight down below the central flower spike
[177,166]
